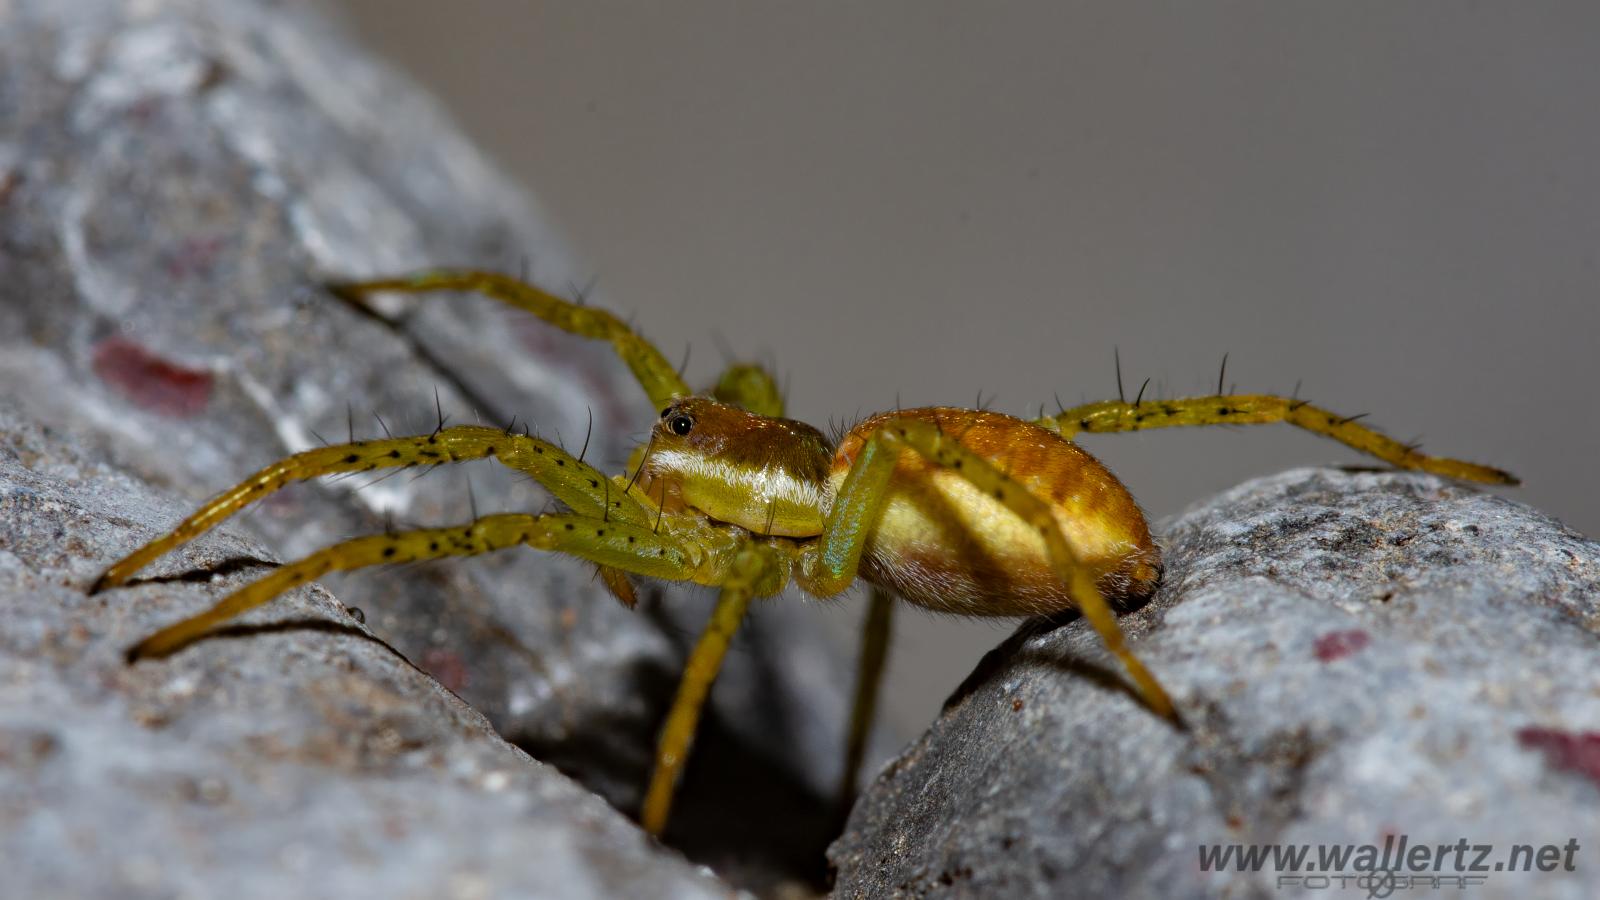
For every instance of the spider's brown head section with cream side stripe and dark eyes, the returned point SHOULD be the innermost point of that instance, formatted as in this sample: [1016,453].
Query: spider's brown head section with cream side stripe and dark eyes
[761,473]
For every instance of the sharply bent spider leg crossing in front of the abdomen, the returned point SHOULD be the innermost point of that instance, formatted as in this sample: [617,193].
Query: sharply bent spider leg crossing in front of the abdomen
[863,496]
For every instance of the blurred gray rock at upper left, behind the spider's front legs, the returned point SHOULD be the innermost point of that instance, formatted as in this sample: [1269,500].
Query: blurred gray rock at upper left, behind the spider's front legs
[175,180]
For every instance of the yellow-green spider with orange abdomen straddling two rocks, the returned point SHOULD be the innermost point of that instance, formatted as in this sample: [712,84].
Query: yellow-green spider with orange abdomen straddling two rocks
[954,510]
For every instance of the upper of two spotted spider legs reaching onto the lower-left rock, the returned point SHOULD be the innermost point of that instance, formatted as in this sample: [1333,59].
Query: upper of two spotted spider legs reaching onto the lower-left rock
[575,483]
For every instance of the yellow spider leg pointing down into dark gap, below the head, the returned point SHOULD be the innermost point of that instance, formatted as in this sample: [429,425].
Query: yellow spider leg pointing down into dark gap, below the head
[745,581]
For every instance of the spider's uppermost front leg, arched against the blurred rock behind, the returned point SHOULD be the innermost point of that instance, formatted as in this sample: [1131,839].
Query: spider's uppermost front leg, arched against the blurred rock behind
[654,372]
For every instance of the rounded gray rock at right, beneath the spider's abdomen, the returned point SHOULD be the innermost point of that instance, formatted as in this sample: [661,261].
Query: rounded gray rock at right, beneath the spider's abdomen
[1359,656]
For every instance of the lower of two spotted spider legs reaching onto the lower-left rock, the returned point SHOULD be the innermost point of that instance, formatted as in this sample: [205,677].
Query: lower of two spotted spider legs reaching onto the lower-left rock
[634,548]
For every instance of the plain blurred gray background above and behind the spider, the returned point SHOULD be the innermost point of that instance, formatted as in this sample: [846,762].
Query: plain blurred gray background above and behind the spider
[1394,204]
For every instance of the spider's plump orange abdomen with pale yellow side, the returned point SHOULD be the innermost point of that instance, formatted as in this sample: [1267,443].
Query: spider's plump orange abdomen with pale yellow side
[948,547]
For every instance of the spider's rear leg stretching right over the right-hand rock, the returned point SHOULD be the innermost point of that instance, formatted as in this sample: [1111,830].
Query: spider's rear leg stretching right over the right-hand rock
[1263,409]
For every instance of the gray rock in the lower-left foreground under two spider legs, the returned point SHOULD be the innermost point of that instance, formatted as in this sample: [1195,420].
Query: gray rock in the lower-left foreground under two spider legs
[298,757]
